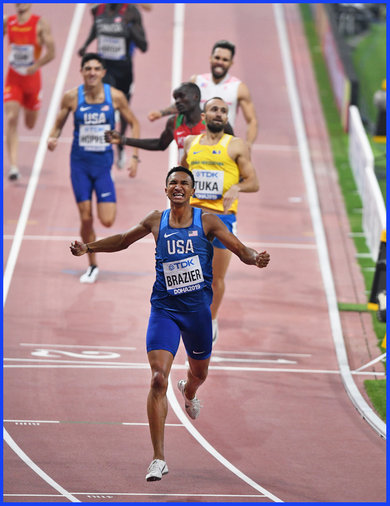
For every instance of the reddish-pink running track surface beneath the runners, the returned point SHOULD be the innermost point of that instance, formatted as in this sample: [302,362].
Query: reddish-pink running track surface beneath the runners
[76,375]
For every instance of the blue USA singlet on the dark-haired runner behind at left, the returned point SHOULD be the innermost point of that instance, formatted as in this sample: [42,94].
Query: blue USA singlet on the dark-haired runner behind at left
[90,123]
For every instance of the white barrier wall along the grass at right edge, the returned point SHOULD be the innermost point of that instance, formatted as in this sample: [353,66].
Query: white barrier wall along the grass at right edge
[361,159]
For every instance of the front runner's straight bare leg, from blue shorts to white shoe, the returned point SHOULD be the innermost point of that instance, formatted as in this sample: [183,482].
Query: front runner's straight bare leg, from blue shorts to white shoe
[157,405]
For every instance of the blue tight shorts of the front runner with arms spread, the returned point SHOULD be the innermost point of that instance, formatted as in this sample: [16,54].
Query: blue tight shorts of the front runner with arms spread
[165,327]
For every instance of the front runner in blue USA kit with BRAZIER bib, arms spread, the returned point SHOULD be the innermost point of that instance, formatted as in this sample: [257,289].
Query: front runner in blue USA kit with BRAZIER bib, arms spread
[181,296]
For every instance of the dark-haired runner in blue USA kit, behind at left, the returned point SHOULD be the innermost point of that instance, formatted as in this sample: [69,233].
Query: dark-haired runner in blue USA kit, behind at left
[93,105]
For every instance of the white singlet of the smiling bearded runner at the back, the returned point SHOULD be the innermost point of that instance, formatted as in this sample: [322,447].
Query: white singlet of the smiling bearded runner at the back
[227,89]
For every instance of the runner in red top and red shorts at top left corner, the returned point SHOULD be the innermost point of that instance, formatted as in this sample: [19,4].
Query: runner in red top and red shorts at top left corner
[27,34]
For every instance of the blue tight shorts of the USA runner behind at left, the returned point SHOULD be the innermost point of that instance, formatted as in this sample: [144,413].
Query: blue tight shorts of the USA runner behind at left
[92,174]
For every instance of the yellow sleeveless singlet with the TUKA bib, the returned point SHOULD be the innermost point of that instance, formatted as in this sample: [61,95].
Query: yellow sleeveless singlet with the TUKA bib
[214,173]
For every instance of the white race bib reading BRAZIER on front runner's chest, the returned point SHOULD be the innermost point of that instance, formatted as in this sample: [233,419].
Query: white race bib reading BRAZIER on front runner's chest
[183,276]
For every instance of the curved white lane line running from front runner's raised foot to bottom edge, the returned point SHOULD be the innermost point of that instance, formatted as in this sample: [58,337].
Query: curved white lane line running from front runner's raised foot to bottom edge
[208,447]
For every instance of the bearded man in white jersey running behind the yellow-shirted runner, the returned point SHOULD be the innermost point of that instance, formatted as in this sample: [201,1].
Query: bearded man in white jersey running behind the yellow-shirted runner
[218,83]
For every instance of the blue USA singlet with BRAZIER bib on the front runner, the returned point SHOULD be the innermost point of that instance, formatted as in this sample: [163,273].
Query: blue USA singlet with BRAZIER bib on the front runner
[183,266]
